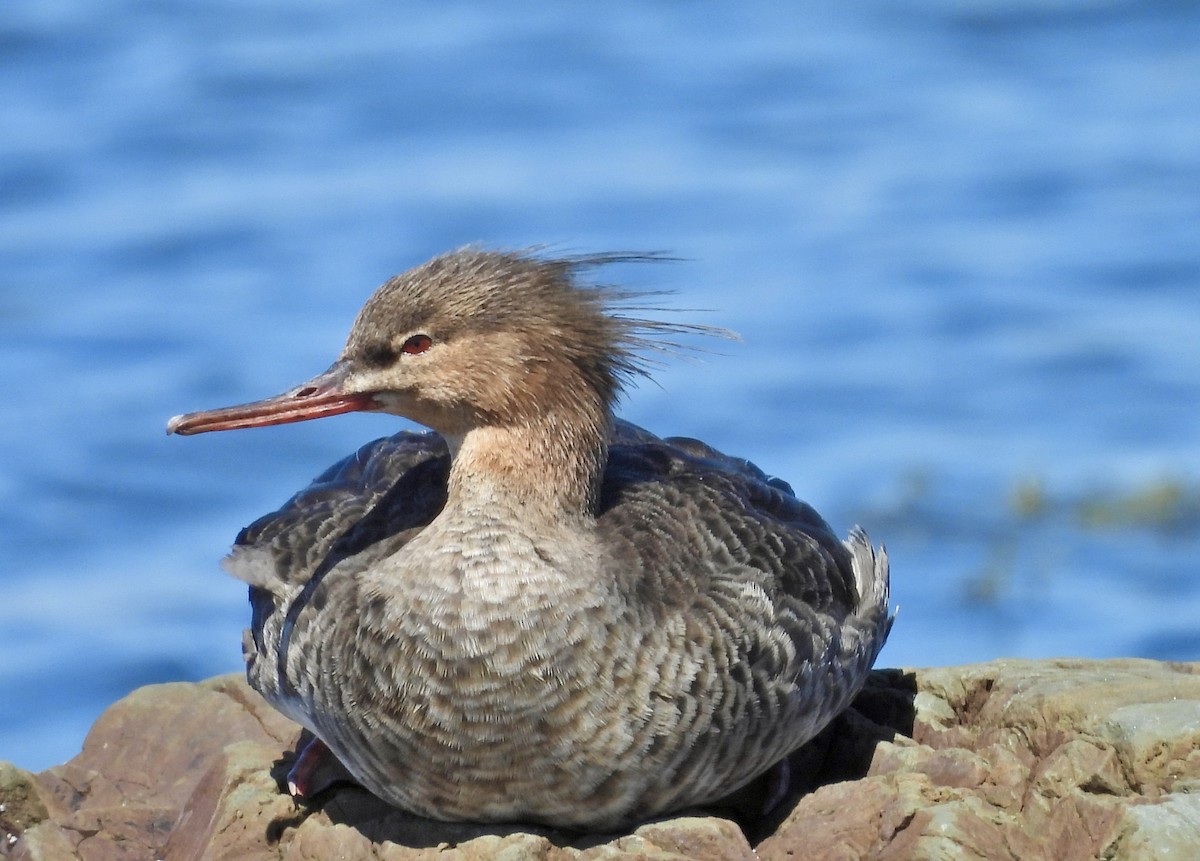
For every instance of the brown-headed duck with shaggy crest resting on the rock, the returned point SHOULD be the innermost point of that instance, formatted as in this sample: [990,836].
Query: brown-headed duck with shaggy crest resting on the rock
[536,612]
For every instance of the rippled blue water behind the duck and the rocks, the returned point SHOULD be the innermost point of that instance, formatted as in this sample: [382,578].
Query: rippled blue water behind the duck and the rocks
[961,242]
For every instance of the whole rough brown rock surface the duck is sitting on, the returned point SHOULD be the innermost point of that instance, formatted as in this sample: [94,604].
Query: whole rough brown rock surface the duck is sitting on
[1011,760]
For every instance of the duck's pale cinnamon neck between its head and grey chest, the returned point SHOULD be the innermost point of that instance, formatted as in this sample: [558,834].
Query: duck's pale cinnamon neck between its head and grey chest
[548,467]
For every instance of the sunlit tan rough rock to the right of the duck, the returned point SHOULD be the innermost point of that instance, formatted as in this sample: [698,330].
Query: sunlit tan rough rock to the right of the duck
[1022,760]
